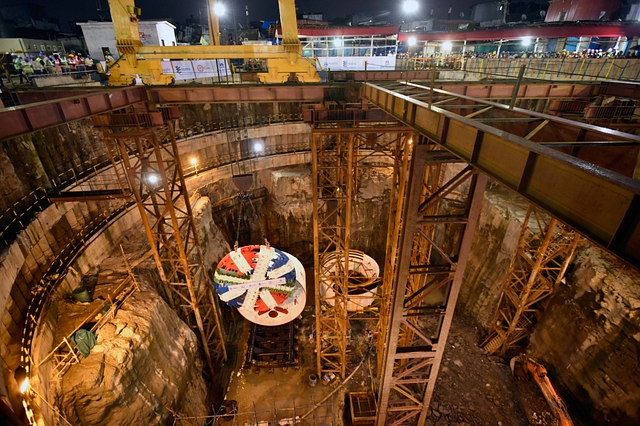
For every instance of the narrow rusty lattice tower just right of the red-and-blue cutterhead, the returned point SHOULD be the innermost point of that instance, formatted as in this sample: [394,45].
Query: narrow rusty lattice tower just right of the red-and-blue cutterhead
[333,183]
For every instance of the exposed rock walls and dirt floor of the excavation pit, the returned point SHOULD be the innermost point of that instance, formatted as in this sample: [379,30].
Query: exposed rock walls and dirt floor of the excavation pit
[145,367]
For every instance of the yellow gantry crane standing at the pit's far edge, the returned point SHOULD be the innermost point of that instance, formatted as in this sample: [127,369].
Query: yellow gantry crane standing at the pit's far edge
[285,62]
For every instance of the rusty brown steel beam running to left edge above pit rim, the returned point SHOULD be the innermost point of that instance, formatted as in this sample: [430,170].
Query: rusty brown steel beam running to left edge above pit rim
[24,119]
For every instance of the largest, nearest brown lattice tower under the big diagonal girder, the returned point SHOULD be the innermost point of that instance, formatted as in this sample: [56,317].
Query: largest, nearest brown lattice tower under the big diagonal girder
[439,217]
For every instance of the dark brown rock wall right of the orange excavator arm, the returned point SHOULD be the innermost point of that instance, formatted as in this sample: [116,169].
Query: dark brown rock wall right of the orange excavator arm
[590,333]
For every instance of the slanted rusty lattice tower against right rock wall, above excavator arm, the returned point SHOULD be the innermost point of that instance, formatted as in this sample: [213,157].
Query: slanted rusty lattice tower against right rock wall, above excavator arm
[545,249]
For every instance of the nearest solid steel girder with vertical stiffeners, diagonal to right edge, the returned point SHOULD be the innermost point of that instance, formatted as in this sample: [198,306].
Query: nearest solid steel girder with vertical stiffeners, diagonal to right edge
[602,205]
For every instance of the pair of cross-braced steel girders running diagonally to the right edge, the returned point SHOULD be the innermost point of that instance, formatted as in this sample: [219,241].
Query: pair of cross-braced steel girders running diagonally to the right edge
[581,174]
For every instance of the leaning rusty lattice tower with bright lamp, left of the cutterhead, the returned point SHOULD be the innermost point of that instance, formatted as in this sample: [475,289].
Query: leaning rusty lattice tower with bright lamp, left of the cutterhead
[167,217]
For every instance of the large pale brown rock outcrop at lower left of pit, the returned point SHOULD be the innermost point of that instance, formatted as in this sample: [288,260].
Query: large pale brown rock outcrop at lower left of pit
[145,362]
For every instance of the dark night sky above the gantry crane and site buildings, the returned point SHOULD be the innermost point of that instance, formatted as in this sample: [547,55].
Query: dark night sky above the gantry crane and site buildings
[83,10]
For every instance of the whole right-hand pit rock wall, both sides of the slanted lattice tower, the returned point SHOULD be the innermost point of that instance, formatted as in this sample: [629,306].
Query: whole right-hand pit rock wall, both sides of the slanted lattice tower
[589,335]
